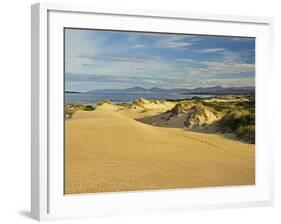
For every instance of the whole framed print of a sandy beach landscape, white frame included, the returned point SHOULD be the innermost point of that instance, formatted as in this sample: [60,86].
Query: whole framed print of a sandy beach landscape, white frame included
[148,111]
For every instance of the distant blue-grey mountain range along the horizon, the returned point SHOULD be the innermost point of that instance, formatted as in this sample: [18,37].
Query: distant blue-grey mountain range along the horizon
[215,90]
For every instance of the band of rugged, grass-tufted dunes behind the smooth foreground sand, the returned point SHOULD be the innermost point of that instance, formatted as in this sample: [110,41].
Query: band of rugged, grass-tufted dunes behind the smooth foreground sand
[225,114]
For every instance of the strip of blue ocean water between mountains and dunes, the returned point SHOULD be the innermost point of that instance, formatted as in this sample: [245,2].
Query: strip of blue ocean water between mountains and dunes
[93,98]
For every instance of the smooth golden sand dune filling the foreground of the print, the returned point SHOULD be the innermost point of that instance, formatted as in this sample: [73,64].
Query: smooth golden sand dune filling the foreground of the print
[108,150]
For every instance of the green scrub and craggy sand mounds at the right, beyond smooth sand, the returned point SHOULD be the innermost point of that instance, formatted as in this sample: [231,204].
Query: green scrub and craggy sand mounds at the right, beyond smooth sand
[229,115]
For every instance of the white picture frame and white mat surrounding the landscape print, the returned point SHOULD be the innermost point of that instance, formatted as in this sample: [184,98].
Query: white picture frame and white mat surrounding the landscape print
[47,198]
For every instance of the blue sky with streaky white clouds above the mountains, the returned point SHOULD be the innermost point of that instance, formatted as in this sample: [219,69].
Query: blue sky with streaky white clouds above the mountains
[101,59]
